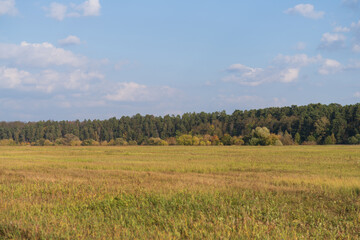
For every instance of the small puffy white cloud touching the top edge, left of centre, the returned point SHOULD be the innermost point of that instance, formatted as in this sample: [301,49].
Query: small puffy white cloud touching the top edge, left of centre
[59,11]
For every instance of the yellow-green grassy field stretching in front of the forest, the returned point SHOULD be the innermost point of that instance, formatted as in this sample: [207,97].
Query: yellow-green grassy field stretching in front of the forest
[297,192]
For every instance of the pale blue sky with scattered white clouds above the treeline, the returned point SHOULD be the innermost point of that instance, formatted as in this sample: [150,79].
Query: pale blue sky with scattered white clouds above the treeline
[97,59]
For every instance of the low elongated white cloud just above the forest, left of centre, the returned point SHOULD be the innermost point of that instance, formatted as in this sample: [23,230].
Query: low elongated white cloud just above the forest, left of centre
[134,92]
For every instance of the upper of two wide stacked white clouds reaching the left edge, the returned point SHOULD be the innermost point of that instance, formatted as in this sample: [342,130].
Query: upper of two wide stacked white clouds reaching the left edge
[40,55]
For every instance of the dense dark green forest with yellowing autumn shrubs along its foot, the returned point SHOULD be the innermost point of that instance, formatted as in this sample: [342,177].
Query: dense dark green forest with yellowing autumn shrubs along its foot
[311,124]
